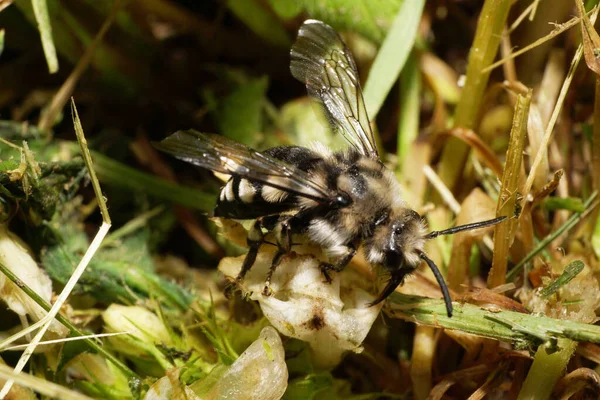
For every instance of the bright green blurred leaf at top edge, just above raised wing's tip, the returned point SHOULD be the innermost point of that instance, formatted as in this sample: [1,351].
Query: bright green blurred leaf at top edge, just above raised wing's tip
[370,18]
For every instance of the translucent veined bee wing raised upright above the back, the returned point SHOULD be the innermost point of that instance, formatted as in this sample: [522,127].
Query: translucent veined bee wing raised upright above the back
[321,60]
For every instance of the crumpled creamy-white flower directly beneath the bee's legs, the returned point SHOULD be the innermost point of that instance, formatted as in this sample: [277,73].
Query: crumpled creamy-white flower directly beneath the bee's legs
[332,317]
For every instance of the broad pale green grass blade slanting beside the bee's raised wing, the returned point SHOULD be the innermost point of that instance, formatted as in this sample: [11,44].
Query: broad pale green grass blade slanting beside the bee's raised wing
[392,55]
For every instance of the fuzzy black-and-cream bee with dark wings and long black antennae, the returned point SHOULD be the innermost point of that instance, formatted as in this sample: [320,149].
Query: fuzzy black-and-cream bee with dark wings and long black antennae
[341,200]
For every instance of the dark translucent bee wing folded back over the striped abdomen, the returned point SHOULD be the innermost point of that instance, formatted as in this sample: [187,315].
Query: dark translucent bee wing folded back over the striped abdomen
[220,154]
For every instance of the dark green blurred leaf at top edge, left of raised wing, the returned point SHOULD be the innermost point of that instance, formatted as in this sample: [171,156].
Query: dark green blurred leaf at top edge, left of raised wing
[261,21]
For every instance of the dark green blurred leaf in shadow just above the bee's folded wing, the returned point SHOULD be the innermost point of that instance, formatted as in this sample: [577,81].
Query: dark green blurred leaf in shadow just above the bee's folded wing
[240,115]
